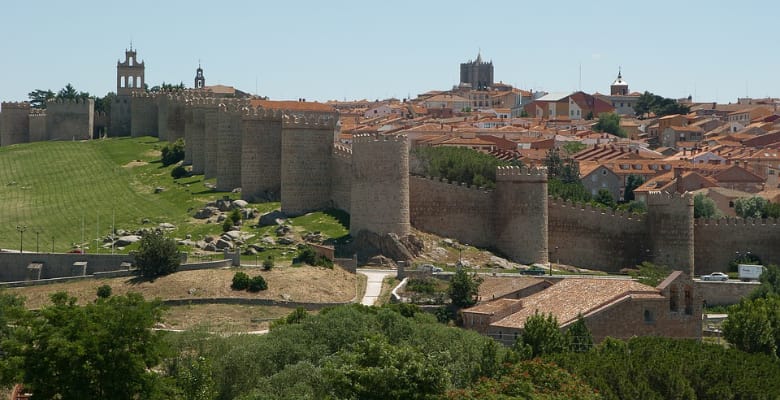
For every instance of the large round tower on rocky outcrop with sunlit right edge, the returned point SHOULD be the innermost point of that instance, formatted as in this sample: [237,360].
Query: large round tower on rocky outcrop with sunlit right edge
[380,185]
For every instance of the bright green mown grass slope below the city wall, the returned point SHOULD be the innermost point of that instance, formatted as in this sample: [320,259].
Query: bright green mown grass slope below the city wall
[72,193]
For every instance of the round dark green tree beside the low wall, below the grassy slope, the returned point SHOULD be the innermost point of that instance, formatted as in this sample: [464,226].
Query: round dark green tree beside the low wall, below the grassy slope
[157,255]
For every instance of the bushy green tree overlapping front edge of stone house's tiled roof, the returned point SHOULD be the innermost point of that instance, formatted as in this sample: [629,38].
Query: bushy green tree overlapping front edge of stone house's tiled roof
[541,335]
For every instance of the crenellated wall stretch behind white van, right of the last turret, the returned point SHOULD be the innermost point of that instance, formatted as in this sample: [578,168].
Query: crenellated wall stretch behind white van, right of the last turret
[718,241]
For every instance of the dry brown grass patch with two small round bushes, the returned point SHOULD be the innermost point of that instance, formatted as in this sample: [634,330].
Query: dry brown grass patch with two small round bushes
[301,284]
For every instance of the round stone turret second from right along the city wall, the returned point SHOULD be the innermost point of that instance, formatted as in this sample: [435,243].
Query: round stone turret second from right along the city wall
[520,220]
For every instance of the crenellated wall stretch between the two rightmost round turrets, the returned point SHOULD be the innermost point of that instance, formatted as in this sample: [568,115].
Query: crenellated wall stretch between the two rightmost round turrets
[594,237]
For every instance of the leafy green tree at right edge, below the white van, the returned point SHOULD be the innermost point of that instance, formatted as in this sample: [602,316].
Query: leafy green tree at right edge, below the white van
[754,325]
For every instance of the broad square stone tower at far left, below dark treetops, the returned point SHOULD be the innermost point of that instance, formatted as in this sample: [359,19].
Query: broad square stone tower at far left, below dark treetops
[70,119]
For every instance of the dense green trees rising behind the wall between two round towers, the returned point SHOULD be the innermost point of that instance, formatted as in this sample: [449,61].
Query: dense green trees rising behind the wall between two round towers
[457,164]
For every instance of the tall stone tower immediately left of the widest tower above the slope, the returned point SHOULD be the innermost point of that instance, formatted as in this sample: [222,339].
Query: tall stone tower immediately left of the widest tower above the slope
[261,157]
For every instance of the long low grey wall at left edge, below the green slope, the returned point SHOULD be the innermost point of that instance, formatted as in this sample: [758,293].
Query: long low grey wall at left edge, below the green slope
[31,266]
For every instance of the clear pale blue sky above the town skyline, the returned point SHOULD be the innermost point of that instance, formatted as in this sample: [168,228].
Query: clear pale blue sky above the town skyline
[714,50]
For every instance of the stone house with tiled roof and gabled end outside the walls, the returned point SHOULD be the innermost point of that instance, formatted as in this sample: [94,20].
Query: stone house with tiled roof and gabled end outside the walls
[619,308]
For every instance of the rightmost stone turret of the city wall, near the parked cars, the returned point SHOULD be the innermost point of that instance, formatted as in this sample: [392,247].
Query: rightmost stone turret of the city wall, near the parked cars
[670,226]
